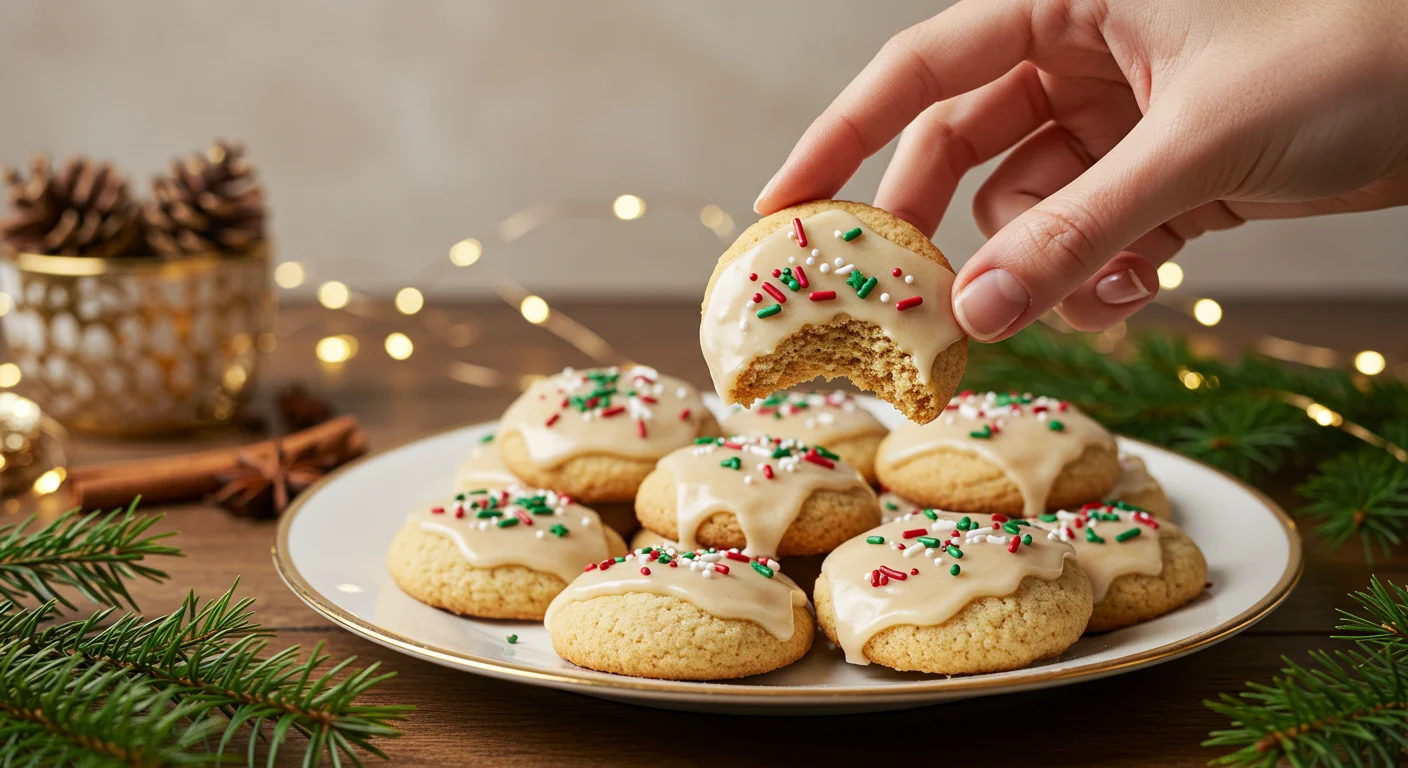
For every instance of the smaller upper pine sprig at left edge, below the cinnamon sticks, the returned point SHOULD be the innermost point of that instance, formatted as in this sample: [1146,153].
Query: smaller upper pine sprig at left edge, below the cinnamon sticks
[95,555]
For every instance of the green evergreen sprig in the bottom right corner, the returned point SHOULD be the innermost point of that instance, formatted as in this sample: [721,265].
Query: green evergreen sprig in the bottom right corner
[1345,708]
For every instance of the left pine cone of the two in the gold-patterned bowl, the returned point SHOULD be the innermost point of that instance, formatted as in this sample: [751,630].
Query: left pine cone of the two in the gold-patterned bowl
[84,211]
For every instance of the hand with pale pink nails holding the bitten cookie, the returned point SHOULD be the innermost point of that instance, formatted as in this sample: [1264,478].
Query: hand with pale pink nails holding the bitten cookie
[1137,126]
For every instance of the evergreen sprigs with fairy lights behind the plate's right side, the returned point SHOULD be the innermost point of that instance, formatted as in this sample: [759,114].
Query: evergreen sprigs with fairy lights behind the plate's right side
[1250,418]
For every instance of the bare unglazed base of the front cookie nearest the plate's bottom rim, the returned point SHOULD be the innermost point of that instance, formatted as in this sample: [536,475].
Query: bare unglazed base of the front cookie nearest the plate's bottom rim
[655,636]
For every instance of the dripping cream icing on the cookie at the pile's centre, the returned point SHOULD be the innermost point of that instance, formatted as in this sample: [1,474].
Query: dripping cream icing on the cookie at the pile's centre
[762,481]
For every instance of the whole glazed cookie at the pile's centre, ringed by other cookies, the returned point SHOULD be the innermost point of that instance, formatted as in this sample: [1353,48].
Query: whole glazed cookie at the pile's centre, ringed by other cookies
[757,494]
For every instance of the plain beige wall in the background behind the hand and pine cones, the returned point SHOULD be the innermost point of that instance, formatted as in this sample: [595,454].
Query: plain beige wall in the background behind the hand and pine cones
[388,130]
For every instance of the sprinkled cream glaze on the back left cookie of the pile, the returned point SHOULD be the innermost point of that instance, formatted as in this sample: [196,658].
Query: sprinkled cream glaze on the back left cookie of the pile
[620,412]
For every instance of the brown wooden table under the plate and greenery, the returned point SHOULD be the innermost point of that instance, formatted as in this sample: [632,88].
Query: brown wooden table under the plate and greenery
[1148,718]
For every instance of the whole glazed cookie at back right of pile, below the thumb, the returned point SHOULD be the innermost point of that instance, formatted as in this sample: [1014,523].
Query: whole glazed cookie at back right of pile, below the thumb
[1002,454]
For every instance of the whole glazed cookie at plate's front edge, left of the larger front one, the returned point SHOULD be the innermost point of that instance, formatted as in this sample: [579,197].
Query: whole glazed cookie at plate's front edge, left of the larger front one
[684,615]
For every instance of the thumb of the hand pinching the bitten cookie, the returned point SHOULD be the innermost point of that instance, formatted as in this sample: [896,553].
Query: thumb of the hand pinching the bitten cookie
[1037,260]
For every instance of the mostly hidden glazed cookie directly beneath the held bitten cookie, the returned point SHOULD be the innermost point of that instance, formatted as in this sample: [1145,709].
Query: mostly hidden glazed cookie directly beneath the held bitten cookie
[831,419]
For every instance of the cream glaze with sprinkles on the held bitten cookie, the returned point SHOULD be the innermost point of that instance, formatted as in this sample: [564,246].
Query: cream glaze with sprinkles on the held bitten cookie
[733,333]
